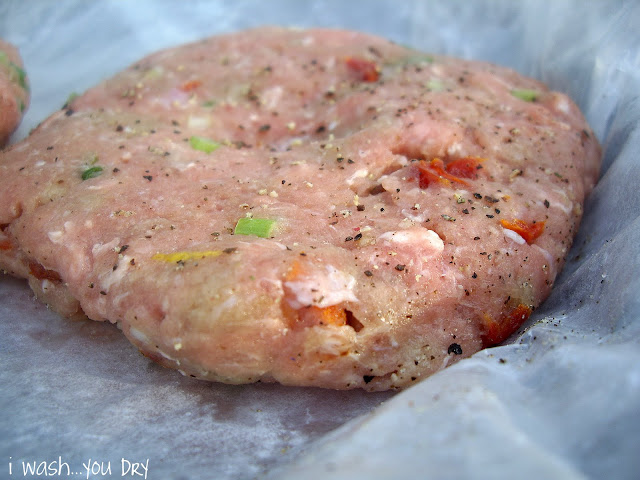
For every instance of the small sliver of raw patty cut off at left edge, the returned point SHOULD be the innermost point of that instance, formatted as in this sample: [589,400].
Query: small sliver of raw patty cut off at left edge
[14,90]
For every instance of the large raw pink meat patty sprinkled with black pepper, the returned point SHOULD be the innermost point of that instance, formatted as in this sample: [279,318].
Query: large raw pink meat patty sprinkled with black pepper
[309,207]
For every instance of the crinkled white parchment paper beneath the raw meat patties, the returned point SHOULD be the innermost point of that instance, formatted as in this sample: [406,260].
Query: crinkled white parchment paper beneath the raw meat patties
[559,401]
